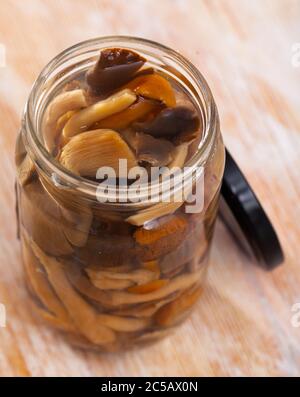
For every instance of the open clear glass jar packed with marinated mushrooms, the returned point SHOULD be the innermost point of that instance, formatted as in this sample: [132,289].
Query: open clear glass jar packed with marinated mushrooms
[112,275]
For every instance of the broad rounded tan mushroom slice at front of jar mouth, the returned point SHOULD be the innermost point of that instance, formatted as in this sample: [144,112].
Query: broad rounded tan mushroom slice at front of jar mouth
[85,153]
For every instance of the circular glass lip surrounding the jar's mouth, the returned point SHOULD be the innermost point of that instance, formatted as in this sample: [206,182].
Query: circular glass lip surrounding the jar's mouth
[61,65]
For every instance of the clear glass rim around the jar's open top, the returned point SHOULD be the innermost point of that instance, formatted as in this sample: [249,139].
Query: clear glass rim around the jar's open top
[64,178]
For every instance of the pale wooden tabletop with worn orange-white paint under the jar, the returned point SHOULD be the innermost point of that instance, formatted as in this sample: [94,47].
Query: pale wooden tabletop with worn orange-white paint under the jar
[244,48]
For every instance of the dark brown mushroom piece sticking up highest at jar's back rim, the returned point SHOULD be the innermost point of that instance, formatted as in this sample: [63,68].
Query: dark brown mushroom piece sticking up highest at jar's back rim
[115,67]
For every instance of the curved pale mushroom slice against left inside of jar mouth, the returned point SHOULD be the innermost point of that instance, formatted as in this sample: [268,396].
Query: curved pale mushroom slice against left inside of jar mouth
[61,104]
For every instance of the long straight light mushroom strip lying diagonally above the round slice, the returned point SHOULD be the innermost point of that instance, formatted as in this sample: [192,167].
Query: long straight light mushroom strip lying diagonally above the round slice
[81,121]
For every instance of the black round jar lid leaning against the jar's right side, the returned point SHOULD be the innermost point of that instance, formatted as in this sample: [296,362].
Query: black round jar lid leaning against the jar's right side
[245,217]
